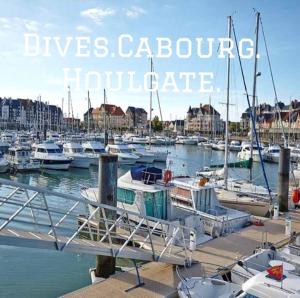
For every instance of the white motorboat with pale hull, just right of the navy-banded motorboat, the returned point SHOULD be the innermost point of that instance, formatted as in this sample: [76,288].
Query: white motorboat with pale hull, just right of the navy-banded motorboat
[79,158]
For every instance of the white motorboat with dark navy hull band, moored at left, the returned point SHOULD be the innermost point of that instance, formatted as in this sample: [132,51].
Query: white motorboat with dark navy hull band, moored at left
[50,156]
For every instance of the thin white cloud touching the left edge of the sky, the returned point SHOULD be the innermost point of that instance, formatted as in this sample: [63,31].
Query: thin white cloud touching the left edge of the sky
[23,24]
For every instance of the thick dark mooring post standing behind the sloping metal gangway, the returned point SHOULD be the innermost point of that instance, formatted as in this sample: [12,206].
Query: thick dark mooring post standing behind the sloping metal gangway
[107,194]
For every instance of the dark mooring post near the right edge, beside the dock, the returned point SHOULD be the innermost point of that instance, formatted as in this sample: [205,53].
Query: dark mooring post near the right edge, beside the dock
[283,179]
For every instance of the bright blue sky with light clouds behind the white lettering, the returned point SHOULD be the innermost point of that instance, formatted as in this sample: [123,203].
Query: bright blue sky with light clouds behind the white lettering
[30,76]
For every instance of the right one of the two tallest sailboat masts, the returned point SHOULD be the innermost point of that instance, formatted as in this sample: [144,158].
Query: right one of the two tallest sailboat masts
[254,91]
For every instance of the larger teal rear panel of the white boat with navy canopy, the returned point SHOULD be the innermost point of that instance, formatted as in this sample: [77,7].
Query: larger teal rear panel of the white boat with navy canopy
[156,204]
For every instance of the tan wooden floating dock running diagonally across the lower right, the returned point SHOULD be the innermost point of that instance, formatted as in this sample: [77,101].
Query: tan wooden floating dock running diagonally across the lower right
[161,280]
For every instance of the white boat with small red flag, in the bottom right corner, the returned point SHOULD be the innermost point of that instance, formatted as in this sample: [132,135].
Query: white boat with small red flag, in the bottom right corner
[252,273]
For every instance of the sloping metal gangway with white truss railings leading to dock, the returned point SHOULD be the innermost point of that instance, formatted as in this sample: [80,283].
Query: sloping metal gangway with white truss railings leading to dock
[32,216]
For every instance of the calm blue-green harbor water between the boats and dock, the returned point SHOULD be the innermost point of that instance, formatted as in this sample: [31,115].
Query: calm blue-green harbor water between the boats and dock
[36,273]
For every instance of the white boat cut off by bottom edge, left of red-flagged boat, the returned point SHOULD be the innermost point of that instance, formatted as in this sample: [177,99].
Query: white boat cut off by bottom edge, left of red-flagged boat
[205,287]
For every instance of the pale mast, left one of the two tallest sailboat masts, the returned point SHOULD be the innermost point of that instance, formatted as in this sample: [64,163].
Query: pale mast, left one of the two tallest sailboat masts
[227,108]
